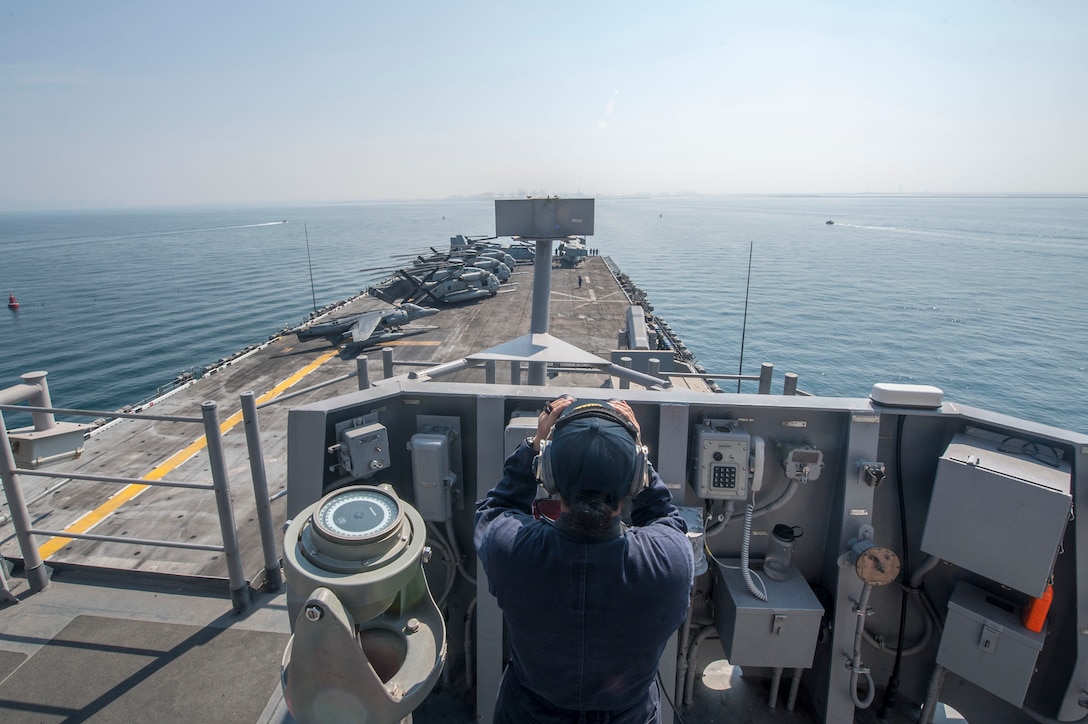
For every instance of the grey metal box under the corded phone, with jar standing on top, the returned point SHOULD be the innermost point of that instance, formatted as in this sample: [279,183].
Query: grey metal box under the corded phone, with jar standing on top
[780,632]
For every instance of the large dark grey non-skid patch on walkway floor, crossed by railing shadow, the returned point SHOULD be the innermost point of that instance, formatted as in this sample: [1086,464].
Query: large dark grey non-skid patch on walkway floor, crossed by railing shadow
[131,668]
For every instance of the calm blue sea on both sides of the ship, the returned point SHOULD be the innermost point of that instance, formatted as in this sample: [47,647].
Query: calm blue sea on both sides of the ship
[981,297]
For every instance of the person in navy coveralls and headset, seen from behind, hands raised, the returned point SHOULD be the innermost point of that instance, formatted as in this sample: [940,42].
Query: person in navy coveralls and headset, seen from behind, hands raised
[590,604]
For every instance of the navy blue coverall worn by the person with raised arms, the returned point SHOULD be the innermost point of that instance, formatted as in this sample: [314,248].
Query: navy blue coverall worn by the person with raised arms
[588,616]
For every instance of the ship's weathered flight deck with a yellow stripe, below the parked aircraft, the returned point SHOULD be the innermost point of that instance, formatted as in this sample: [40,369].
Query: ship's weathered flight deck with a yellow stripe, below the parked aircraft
[588,305]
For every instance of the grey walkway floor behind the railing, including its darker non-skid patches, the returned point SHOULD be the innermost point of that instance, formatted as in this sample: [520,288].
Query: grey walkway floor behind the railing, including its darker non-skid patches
[89,649]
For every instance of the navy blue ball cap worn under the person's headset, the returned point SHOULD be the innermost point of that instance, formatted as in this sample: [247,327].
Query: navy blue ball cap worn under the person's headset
[594,449]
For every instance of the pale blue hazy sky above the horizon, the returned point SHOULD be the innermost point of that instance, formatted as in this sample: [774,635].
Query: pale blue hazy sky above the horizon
[137,104]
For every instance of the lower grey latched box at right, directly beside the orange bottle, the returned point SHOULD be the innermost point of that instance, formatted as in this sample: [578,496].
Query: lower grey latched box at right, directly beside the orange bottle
[985,643]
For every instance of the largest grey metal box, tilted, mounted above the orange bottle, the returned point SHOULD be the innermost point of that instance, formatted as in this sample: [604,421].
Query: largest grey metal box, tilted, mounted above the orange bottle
[1015,499]
